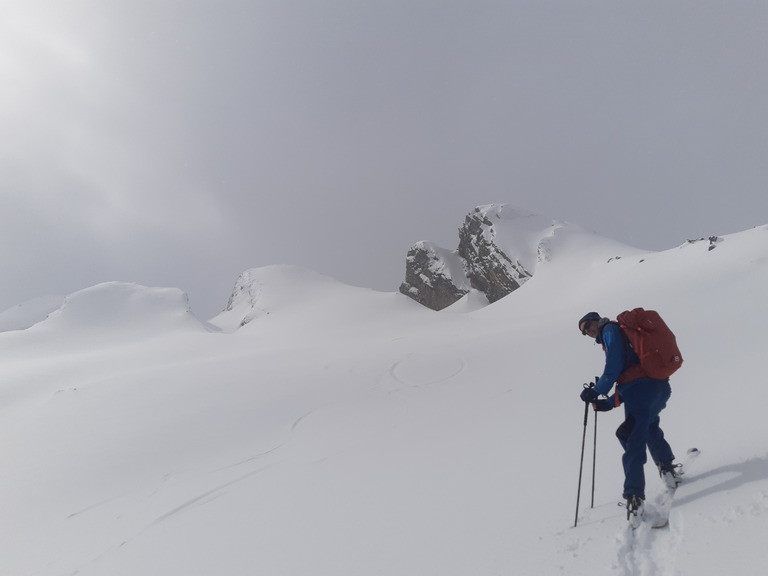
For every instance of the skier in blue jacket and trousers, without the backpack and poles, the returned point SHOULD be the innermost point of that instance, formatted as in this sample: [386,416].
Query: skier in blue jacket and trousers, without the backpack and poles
[643,398]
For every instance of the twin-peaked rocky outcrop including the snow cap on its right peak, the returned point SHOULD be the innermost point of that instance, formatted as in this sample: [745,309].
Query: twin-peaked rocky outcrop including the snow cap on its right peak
[498,249]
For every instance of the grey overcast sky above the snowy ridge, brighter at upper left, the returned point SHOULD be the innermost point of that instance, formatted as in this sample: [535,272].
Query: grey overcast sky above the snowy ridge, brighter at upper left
[180,142]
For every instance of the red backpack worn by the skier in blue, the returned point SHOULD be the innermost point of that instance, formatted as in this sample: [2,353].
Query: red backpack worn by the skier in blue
[653,342]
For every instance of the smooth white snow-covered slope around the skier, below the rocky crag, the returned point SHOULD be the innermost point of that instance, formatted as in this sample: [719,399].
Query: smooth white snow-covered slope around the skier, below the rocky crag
[346,432]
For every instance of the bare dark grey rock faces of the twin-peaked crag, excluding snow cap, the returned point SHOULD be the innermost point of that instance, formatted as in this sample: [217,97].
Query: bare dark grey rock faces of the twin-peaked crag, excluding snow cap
[437,278]
